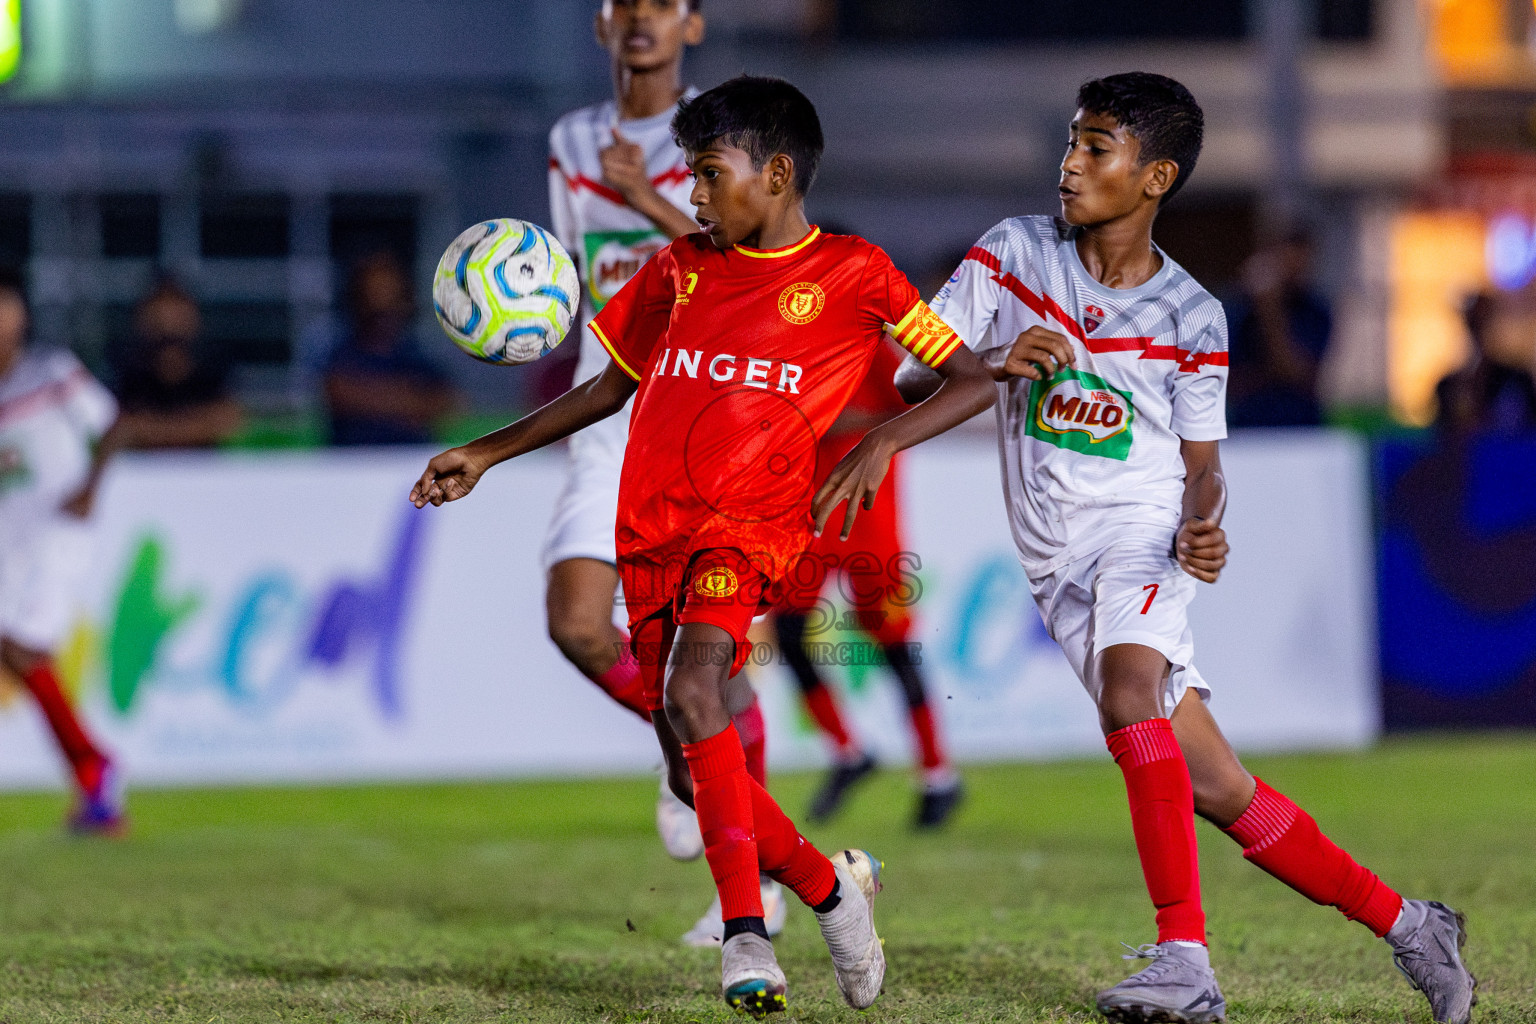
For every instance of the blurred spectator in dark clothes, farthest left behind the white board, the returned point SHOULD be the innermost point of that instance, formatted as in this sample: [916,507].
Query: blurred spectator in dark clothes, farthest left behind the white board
[174,394]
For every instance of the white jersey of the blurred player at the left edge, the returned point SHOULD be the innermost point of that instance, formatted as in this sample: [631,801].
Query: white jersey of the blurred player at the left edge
[51,415]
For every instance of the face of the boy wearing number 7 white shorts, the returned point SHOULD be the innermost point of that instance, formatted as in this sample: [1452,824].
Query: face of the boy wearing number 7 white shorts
[1102,174]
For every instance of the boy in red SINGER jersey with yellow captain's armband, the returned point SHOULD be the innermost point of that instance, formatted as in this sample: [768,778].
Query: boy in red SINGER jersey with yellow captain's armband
[741,345]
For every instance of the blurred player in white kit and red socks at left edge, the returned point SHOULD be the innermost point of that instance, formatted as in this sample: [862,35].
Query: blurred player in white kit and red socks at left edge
[56,435]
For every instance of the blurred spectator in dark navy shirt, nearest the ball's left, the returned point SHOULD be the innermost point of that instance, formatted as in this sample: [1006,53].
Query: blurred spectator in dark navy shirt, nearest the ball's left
[380,389]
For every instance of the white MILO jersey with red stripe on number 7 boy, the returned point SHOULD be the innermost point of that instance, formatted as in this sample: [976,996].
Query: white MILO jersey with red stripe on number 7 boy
[1091,455]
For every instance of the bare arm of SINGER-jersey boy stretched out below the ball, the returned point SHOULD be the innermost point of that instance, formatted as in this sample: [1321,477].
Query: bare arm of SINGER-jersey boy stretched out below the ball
[455,474]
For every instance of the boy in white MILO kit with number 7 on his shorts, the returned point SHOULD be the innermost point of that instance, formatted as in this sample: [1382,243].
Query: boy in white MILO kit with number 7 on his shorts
[1111,366]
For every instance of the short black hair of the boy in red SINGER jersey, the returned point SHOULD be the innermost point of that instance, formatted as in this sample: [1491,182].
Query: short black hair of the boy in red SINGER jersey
[761,116]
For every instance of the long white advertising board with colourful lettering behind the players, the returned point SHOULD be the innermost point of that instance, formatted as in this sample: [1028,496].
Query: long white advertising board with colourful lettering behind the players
[293,618]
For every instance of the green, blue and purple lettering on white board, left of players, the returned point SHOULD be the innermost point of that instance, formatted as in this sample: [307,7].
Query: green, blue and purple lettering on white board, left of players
[266,642]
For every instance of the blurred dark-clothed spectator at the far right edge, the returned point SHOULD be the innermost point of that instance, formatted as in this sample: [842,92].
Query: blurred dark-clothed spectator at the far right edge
[1494,392]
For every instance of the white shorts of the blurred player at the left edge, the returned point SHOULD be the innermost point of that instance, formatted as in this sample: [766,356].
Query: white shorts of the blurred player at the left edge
[42,570]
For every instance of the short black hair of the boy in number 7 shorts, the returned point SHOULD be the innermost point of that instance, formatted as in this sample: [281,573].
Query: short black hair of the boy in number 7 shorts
[1157,111]
